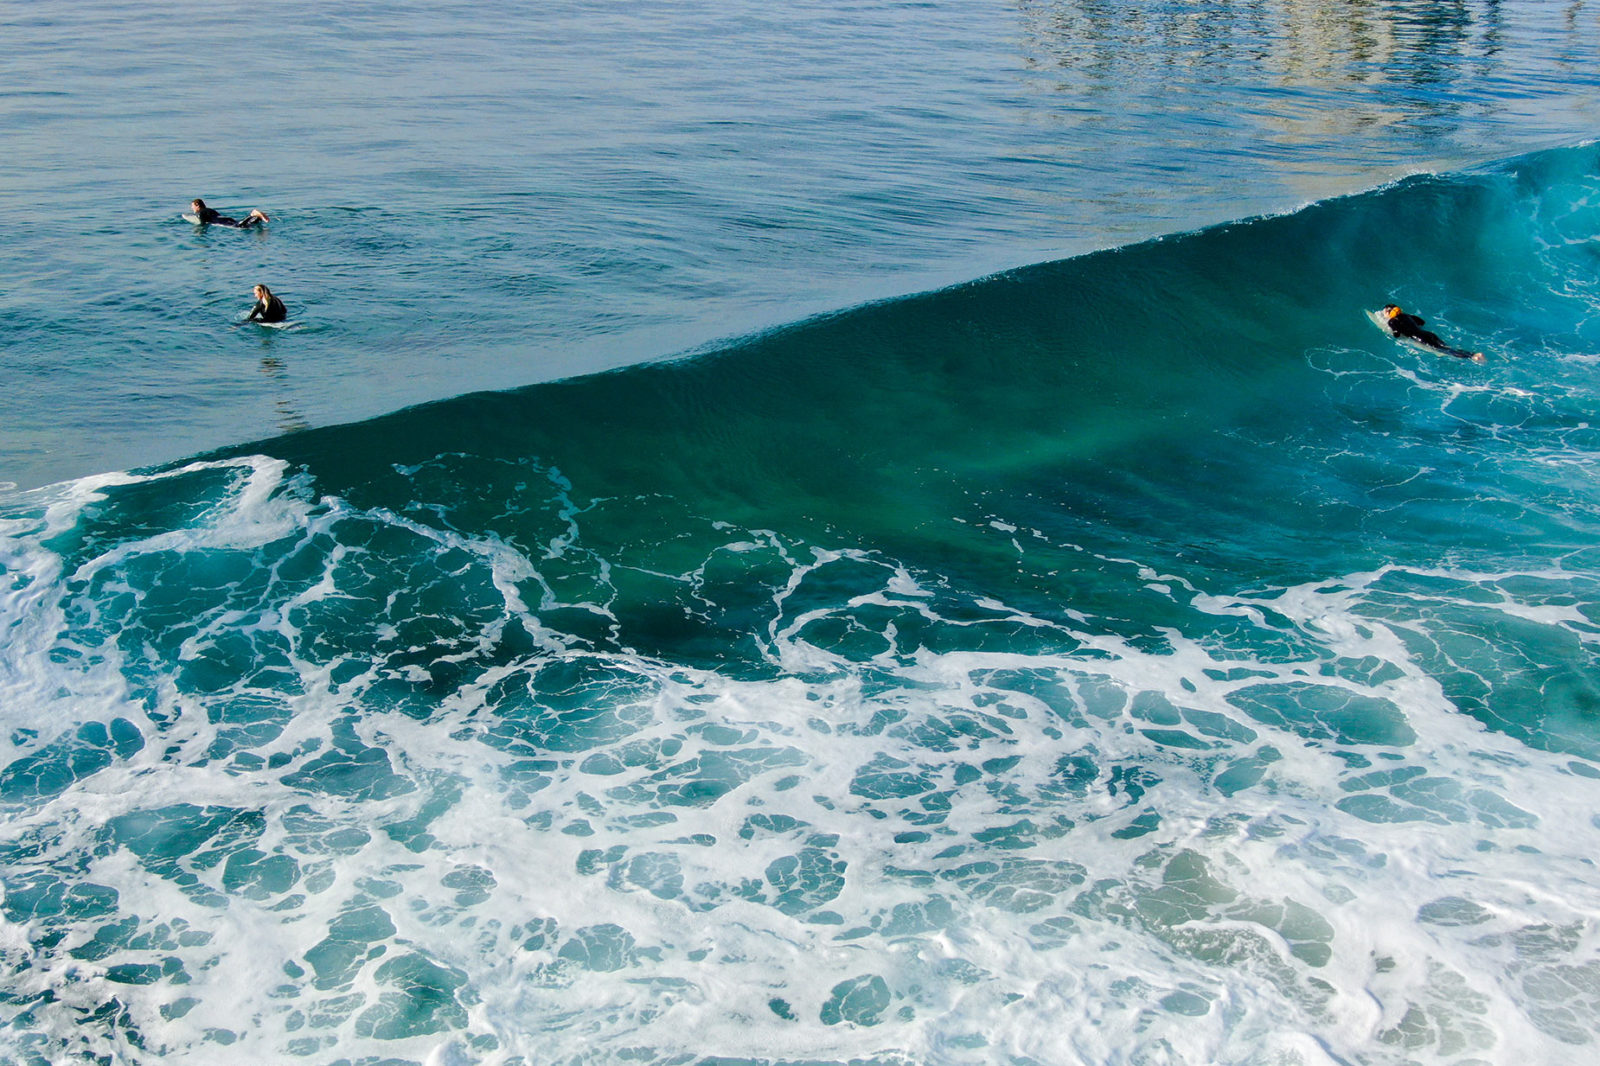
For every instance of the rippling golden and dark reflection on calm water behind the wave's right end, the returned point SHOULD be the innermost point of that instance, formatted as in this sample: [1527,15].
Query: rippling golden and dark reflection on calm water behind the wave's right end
[1308,87]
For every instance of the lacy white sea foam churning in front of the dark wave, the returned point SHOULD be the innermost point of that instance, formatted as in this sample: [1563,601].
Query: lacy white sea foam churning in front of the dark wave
[1271,841]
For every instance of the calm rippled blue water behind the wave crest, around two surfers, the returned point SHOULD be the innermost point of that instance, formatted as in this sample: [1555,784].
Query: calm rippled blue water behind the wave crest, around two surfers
[484,196]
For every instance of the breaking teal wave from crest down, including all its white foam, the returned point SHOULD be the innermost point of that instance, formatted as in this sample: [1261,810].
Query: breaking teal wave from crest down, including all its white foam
[1137,659]
